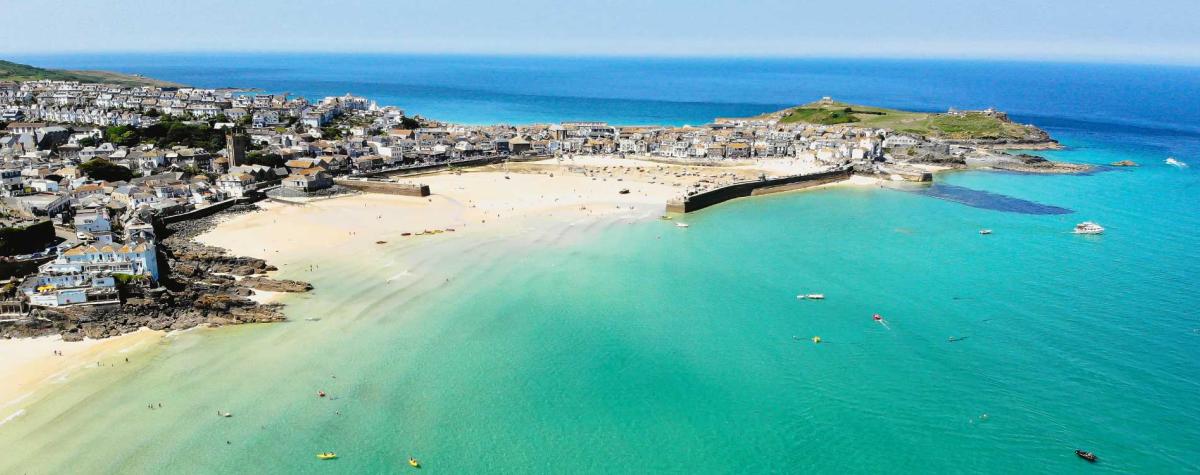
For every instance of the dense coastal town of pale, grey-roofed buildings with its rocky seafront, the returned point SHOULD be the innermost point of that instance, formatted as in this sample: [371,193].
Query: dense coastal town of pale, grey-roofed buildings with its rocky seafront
[97,177]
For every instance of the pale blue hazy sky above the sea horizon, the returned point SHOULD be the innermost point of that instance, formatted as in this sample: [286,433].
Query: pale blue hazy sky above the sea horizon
[1084,31]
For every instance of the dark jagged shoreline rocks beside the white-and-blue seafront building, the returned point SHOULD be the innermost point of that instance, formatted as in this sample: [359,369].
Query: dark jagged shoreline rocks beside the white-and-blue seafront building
[205,286]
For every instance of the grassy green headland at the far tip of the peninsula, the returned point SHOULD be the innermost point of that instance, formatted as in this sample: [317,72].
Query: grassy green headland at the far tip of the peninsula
[970,127]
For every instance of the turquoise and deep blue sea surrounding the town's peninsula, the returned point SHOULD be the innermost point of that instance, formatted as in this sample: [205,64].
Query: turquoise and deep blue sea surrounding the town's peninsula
[637,347]
